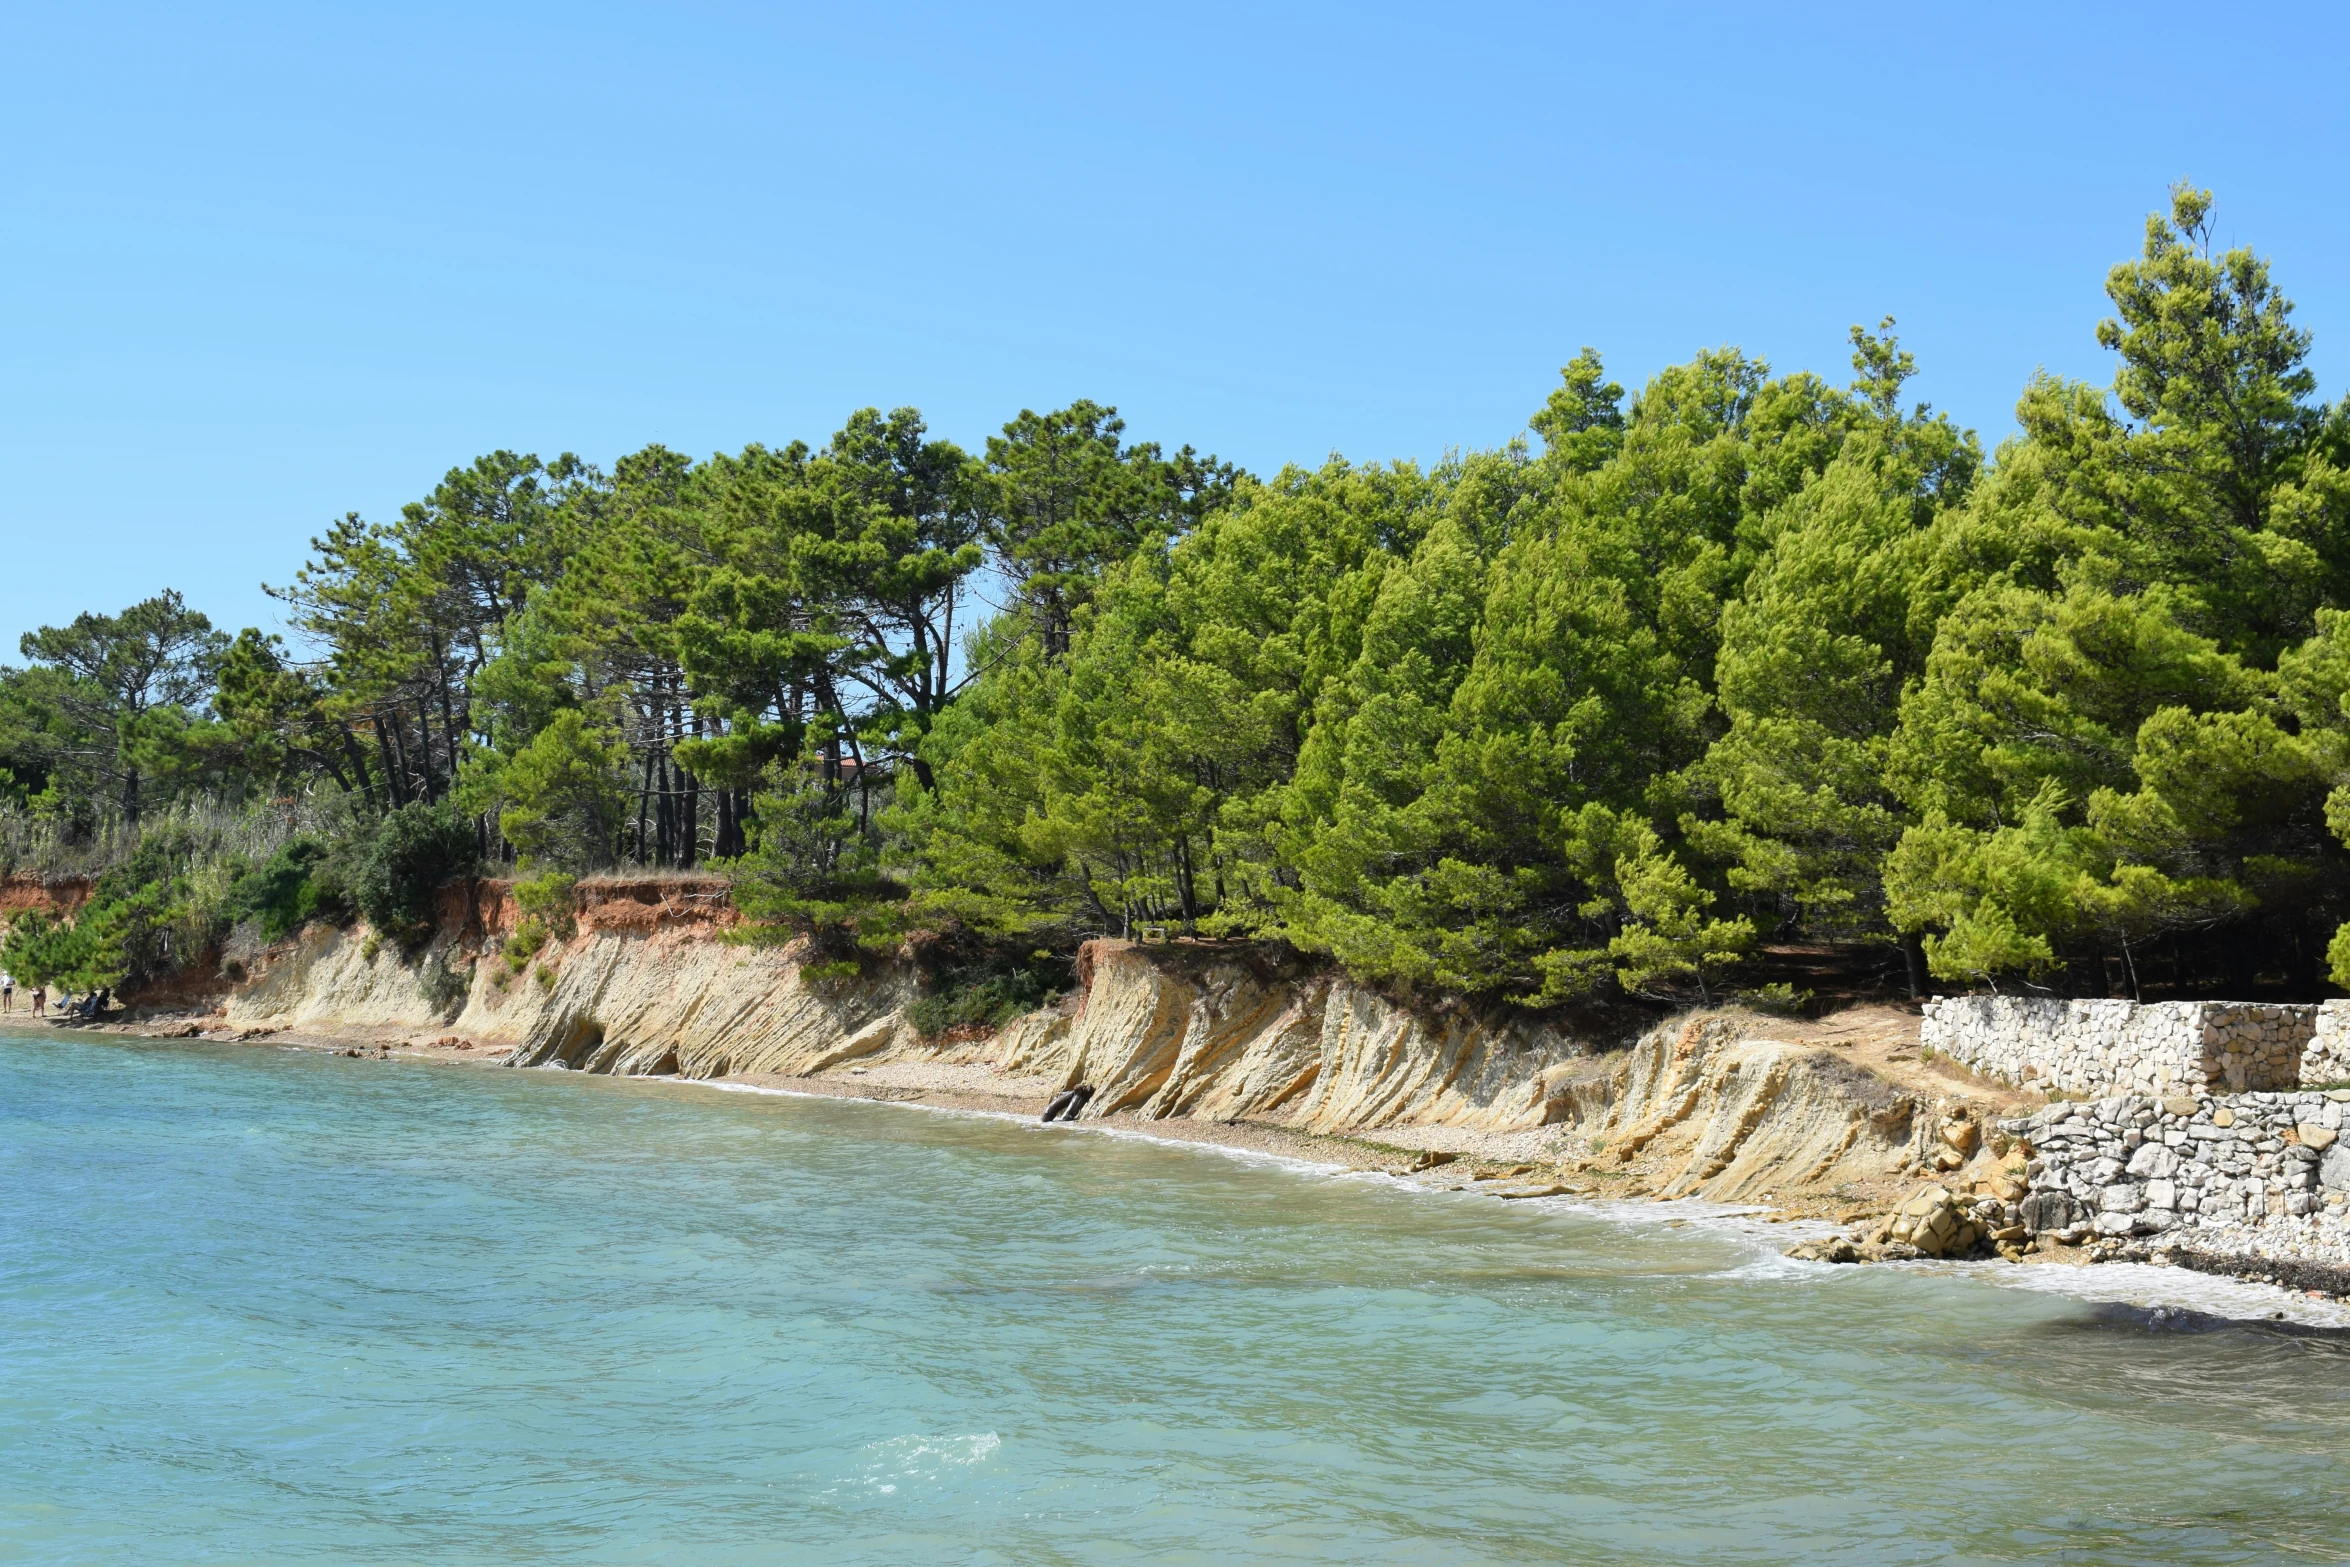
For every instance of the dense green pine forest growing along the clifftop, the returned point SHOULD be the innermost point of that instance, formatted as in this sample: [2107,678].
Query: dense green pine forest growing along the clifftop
[1679,682]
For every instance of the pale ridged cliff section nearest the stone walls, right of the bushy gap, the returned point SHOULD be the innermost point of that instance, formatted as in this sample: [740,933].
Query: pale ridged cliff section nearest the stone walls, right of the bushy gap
[1700,1105]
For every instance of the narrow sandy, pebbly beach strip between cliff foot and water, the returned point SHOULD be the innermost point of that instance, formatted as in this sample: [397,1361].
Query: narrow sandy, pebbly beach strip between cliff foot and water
[1540,1166]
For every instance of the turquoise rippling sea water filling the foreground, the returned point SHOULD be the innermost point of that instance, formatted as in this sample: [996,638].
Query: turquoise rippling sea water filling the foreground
[283,1307]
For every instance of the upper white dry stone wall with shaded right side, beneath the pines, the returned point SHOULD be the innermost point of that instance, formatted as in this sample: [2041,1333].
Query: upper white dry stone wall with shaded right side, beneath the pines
[2123,1047]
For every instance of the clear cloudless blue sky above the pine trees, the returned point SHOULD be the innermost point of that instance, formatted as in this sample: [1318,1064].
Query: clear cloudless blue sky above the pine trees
[269,264]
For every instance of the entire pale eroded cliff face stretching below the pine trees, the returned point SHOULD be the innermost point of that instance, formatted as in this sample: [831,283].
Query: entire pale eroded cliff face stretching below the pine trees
[1705,1105]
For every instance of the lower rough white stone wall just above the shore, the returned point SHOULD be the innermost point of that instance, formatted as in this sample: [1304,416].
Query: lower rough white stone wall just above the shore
[2262,1173]
